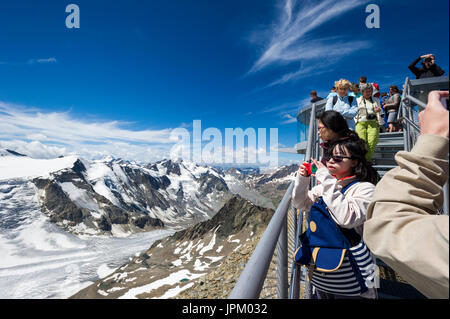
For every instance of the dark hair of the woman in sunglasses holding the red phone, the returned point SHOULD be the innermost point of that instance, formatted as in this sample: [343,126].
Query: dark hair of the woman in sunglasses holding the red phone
[357,148]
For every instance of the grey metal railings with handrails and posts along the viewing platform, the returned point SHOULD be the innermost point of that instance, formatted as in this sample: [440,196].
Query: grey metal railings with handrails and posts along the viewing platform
[252,279]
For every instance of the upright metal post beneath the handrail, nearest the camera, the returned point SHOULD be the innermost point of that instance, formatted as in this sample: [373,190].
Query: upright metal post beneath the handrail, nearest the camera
[282,271]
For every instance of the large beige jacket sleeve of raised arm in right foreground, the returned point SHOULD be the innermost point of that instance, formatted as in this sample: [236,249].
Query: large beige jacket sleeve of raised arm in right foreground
[402,228]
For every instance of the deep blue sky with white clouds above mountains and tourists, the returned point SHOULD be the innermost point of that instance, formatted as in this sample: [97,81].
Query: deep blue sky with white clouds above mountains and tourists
[135,70]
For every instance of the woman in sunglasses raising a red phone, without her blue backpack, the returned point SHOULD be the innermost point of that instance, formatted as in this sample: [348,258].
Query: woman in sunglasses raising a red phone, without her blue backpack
[345,186]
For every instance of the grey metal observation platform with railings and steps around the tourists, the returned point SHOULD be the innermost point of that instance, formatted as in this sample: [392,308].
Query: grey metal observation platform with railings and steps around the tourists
[270,272]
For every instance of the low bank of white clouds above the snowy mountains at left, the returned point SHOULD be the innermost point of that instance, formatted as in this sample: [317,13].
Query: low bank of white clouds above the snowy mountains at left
[45,135]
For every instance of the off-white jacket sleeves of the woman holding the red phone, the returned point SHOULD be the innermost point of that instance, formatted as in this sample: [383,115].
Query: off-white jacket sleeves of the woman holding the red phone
[347,210]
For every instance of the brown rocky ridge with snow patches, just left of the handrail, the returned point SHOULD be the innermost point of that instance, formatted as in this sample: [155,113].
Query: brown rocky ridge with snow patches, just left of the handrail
[174,264]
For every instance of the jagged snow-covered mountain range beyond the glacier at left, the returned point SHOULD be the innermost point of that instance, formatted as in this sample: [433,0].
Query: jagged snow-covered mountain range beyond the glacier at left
[115,196]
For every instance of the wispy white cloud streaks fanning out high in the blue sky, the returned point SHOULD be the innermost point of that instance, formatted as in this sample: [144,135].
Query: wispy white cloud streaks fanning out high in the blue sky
[289,38]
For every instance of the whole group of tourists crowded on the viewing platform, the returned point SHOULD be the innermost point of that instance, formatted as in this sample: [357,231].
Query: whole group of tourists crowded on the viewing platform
[396,218]
